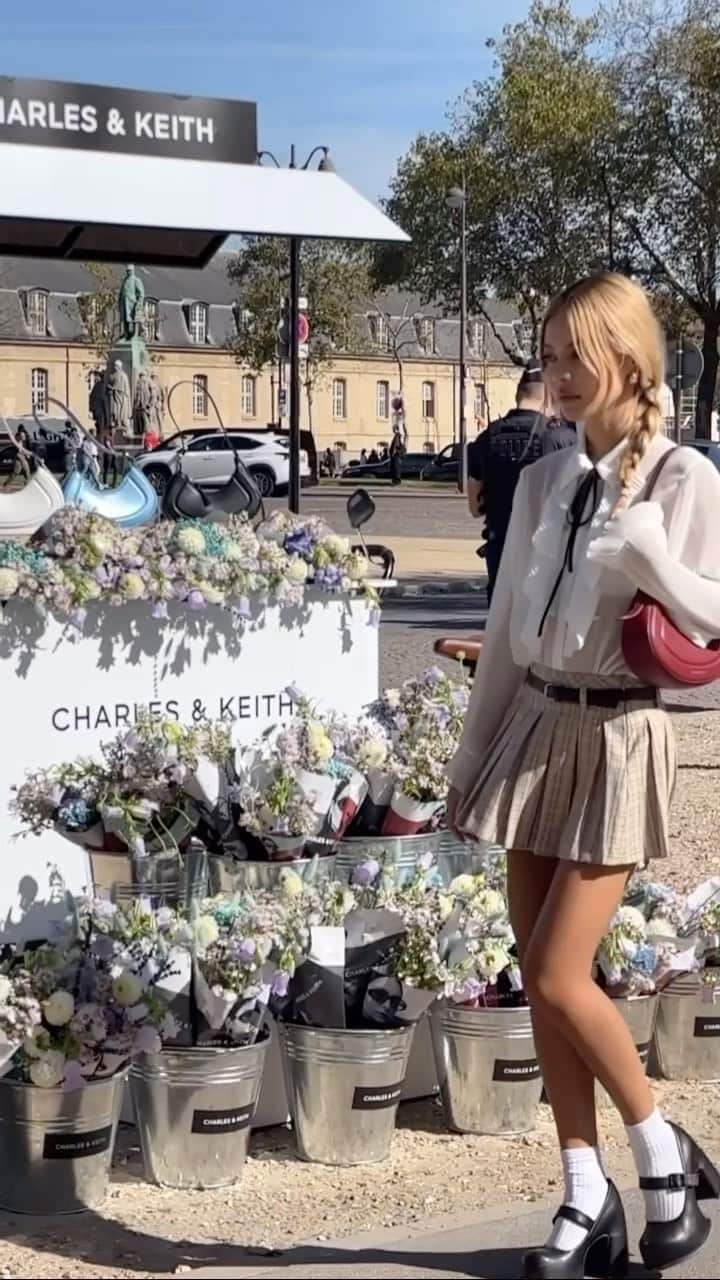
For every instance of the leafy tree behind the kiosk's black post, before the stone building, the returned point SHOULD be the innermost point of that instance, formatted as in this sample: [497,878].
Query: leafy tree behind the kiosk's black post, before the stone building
[335,281]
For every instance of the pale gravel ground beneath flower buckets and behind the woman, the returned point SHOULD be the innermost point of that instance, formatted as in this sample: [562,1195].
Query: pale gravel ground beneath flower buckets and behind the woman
[144,1232]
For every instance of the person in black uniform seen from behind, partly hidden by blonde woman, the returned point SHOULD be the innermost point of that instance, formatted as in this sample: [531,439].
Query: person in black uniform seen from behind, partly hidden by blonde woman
[500,454]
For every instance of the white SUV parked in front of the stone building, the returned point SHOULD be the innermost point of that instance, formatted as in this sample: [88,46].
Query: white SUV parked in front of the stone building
[208,459]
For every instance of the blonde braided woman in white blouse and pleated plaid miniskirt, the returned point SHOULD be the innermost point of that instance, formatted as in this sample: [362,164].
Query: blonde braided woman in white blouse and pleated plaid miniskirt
[571,765]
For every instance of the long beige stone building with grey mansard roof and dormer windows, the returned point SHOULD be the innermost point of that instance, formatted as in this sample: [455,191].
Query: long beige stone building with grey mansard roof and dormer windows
[190,322]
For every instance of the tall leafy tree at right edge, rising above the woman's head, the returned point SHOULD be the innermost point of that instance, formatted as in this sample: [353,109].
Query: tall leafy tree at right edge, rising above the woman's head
[669,65]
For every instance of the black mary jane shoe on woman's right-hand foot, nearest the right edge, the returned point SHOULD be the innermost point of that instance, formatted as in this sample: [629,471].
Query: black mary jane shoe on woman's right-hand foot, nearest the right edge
[666,1245]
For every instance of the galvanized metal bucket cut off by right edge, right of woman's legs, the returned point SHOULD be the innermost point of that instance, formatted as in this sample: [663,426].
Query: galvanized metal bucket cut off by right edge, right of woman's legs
[687,1032]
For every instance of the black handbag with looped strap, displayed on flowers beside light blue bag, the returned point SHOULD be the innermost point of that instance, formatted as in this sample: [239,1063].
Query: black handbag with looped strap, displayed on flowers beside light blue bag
[185,500]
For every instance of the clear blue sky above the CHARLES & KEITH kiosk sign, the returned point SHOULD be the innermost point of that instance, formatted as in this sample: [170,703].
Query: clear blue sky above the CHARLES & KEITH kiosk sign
[362,76]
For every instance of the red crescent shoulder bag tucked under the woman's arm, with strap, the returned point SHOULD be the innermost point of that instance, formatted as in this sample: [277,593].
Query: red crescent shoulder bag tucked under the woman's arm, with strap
[655,650]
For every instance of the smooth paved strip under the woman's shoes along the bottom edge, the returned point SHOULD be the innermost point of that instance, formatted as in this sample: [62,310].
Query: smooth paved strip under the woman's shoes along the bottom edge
[490,1249]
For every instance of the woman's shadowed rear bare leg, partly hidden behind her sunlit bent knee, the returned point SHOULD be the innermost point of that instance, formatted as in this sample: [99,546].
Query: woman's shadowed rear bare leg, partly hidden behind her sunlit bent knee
[568,1081]
